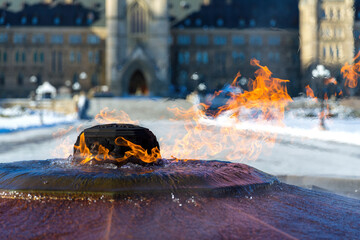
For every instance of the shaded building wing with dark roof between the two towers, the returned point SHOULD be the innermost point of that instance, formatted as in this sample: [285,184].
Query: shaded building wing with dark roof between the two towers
[219,39]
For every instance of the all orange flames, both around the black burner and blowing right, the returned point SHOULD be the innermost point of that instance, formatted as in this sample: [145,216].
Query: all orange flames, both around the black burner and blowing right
[225,133]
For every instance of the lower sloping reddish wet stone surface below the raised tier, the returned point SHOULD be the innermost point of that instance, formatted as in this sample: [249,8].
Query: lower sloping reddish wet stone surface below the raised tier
[279,212]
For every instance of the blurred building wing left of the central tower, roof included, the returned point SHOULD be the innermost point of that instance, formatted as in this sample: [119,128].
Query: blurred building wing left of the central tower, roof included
[53,41]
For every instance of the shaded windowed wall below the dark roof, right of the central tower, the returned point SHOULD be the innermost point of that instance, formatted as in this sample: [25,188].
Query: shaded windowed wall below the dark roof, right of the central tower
[217,55]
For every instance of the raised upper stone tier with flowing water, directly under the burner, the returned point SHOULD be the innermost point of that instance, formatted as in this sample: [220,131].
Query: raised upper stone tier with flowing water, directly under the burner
[61,177]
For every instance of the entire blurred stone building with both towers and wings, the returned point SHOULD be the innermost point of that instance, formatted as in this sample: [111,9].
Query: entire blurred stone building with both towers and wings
[162,47]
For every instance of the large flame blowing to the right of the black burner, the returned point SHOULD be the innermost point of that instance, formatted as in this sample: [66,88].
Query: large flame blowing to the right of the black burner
[209,137]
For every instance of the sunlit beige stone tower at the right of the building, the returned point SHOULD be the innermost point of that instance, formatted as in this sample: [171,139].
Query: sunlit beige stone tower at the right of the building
[326,34]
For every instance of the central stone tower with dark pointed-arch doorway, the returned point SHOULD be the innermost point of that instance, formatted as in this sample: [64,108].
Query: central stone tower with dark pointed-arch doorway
[137,47]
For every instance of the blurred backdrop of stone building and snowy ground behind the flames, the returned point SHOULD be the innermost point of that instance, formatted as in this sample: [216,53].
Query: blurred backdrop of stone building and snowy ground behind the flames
[63,61]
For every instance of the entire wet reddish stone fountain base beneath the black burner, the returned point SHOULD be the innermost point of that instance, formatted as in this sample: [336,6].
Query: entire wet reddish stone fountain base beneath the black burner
[54,199]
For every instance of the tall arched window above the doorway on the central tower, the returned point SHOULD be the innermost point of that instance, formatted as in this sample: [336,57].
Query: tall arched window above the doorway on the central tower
[138,19]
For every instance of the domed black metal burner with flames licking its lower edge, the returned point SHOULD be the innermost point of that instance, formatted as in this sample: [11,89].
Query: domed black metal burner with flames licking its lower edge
[106,135]
